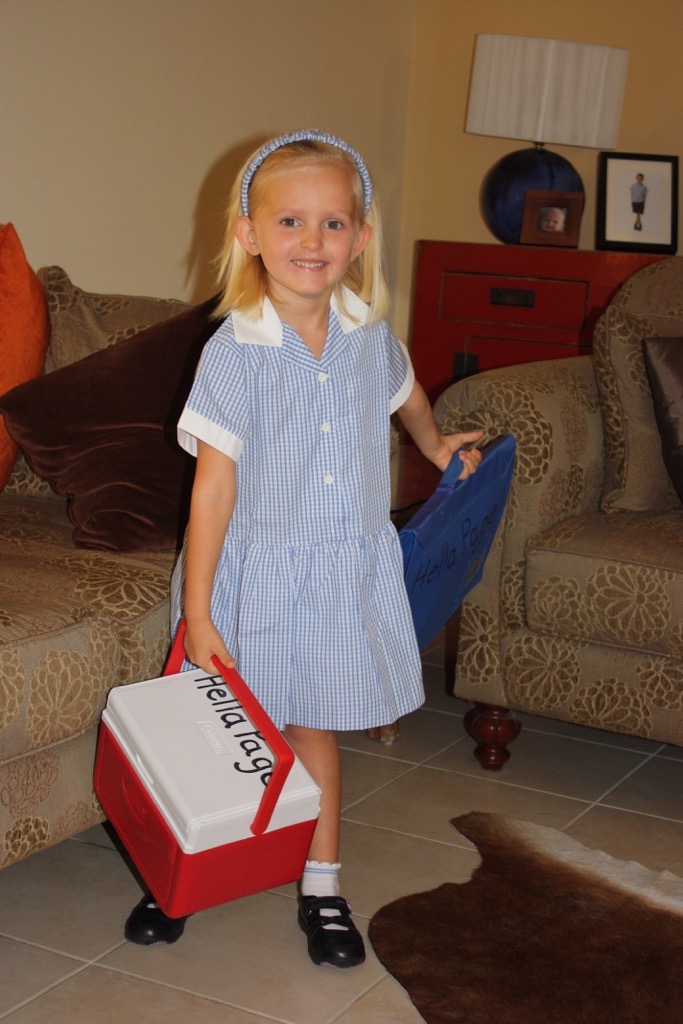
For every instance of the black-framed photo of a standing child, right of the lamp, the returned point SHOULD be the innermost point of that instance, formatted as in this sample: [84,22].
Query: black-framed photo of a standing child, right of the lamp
[637,206]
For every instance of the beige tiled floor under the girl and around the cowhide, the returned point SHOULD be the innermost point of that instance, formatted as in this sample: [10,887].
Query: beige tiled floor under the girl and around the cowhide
[63,957]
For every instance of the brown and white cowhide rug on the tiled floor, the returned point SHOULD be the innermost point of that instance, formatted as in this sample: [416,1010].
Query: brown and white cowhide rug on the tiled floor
[545,932]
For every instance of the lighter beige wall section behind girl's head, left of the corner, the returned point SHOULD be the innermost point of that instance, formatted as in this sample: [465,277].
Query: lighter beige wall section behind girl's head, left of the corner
[123,122]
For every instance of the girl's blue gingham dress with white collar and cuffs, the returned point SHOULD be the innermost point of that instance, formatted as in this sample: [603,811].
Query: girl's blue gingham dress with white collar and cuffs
[309,593]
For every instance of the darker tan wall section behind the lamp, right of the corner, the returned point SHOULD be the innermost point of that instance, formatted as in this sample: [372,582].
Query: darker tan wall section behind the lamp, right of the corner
[445,167]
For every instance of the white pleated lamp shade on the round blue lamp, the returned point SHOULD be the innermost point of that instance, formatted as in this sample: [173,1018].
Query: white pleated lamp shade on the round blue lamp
[547,91]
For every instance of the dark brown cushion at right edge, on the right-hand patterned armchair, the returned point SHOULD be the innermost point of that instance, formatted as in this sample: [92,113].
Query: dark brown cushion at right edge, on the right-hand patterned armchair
[664,360]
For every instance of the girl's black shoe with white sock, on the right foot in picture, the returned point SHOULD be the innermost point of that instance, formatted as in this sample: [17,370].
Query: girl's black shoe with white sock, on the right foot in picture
[331,947]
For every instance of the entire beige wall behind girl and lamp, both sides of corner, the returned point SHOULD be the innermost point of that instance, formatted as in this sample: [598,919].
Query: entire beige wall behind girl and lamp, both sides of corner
[123,121]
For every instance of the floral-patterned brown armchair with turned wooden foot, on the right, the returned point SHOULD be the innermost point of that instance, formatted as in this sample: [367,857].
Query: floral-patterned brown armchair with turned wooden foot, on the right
[579,616]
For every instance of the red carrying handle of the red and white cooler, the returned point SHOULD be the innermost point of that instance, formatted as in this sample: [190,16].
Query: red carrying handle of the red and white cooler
[282,752]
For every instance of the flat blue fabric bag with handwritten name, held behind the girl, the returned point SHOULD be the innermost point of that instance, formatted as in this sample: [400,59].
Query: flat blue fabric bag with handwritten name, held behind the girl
[446,544]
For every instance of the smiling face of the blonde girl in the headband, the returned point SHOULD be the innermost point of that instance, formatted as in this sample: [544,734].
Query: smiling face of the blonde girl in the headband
[306,229]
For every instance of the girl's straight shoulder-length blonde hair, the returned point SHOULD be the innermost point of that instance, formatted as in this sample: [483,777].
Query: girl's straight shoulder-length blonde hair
[242,278]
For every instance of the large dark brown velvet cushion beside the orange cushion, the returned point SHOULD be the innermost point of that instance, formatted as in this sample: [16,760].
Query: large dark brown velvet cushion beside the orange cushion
[102,432]
